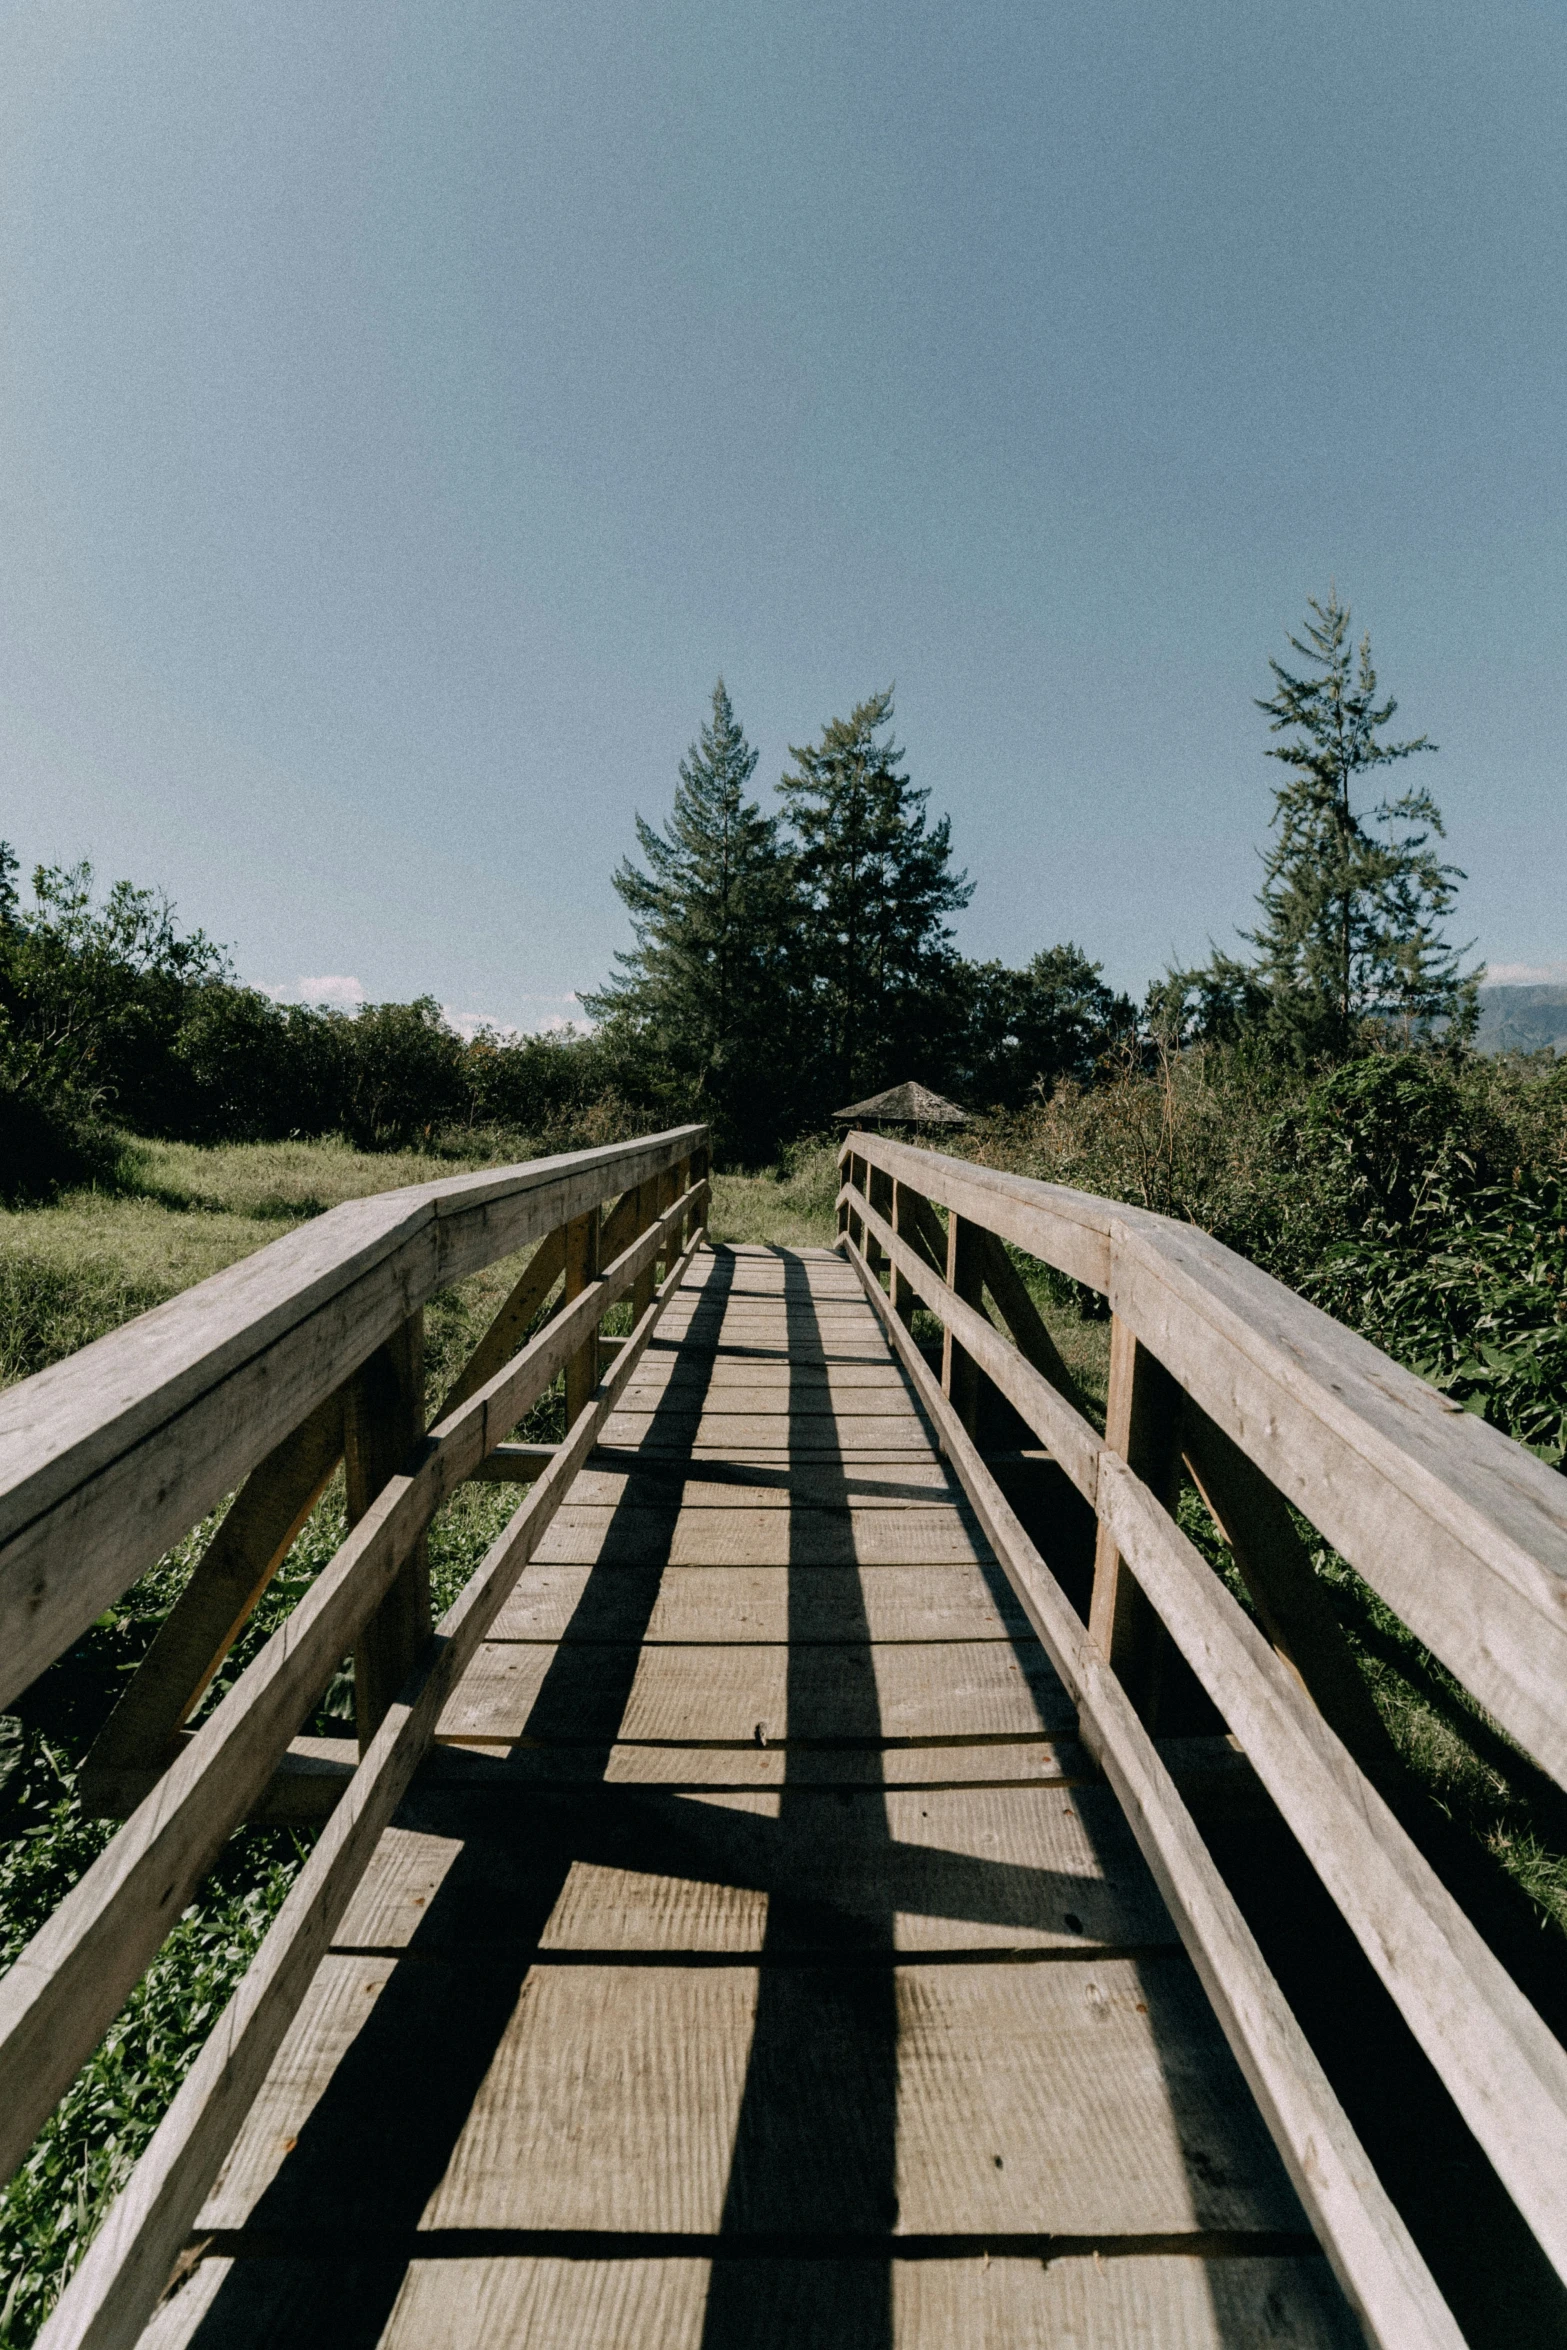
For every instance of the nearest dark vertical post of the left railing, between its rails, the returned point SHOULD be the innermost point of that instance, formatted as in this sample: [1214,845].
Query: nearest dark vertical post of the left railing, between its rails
[382,1423]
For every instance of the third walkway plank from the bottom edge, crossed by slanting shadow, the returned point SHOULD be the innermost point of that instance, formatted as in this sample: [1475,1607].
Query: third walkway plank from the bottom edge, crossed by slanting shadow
[659,1874]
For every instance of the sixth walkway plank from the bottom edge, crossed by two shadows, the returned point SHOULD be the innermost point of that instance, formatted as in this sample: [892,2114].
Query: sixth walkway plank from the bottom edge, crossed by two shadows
[758,1604]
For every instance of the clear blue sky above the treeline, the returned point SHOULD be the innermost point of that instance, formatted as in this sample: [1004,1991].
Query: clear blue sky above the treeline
[408,412]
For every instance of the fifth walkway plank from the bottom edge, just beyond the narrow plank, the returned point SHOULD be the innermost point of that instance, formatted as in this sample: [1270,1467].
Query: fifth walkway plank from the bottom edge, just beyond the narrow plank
[722,1696]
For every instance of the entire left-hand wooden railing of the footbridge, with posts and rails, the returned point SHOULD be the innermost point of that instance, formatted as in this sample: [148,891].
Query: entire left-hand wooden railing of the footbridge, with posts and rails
[267,1378]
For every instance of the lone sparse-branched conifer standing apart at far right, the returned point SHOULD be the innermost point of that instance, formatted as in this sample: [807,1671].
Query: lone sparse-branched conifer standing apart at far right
[1354,899]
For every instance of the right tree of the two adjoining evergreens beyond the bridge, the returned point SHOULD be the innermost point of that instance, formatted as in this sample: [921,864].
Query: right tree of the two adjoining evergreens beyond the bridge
[875,882]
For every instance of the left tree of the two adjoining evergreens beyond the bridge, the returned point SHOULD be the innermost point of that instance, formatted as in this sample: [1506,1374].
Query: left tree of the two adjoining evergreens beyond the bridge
[706,986]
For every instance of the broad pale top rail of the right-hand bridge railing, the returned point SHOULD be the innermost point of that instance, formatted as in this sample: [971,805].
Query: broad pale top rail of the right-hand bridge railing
[1460,1529]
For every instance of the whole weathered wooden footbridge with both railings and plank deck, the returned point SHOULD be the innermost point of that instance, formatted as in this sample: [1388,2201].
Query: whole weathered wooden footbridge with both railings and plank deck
[793,1895]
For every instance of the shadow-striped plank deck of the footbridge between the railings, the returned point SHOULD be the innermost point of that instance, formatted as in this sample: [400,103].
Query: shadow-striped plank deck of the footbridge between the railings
[758,1961]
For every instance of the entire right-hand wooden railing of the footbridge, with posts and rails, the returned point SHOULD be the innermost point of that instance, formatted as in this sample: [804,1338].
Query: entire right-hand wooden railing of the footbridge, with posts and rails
[1223,1376]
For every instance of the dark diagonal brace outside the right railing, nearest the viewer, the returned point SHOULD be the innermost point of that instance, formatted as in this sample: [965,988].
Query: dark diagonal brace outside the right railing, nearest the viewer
[1286,1590]
